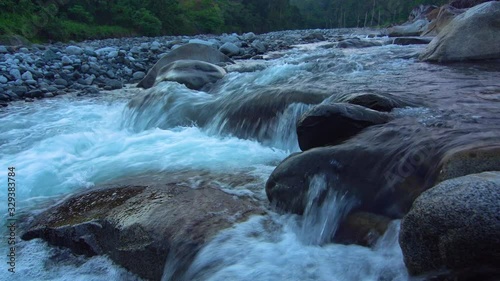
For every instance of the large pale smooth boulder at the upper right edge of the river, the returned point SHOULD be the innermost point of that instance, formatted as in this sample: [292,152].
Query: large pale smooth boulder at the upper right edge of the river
[473,35]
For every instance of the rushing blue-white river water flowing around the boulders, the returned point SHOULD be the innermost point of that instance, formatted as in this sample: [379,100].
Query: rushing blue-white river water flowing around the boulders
[245,124]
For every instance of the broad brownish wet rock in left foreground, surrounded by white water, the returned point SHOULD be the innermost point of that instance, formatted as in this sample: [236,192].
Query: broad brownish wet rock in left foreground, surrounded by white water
[143,224]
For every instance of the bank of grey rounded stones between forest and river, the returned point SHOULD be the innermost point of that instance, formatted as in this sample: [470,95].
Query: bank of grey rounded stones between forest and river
[29,72]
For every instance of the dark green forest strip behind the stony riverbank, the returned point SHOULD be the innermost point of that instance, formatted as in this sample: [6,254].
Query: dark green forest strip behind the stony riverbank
[63,20]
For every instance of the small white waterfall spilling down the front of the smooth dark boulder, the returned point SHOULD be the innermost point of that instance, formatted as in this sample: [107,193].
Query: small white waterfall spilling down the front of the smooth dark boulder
[322,216]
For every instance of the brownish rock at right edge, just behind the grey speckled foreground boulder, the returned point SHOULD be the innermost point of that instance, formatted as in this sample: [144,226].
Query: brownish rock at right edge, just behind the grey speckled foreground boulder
[461,162]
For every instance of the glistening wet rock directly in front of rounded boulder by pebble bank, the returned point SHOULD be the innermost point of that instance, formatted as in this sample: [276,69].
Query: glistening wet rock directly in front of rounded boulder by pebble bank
[193,73]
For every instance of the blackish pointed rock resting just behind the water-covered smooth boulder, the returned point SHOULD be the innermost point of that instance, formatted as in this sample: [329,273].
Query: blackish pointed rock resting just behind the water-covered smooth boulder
[330,124]
